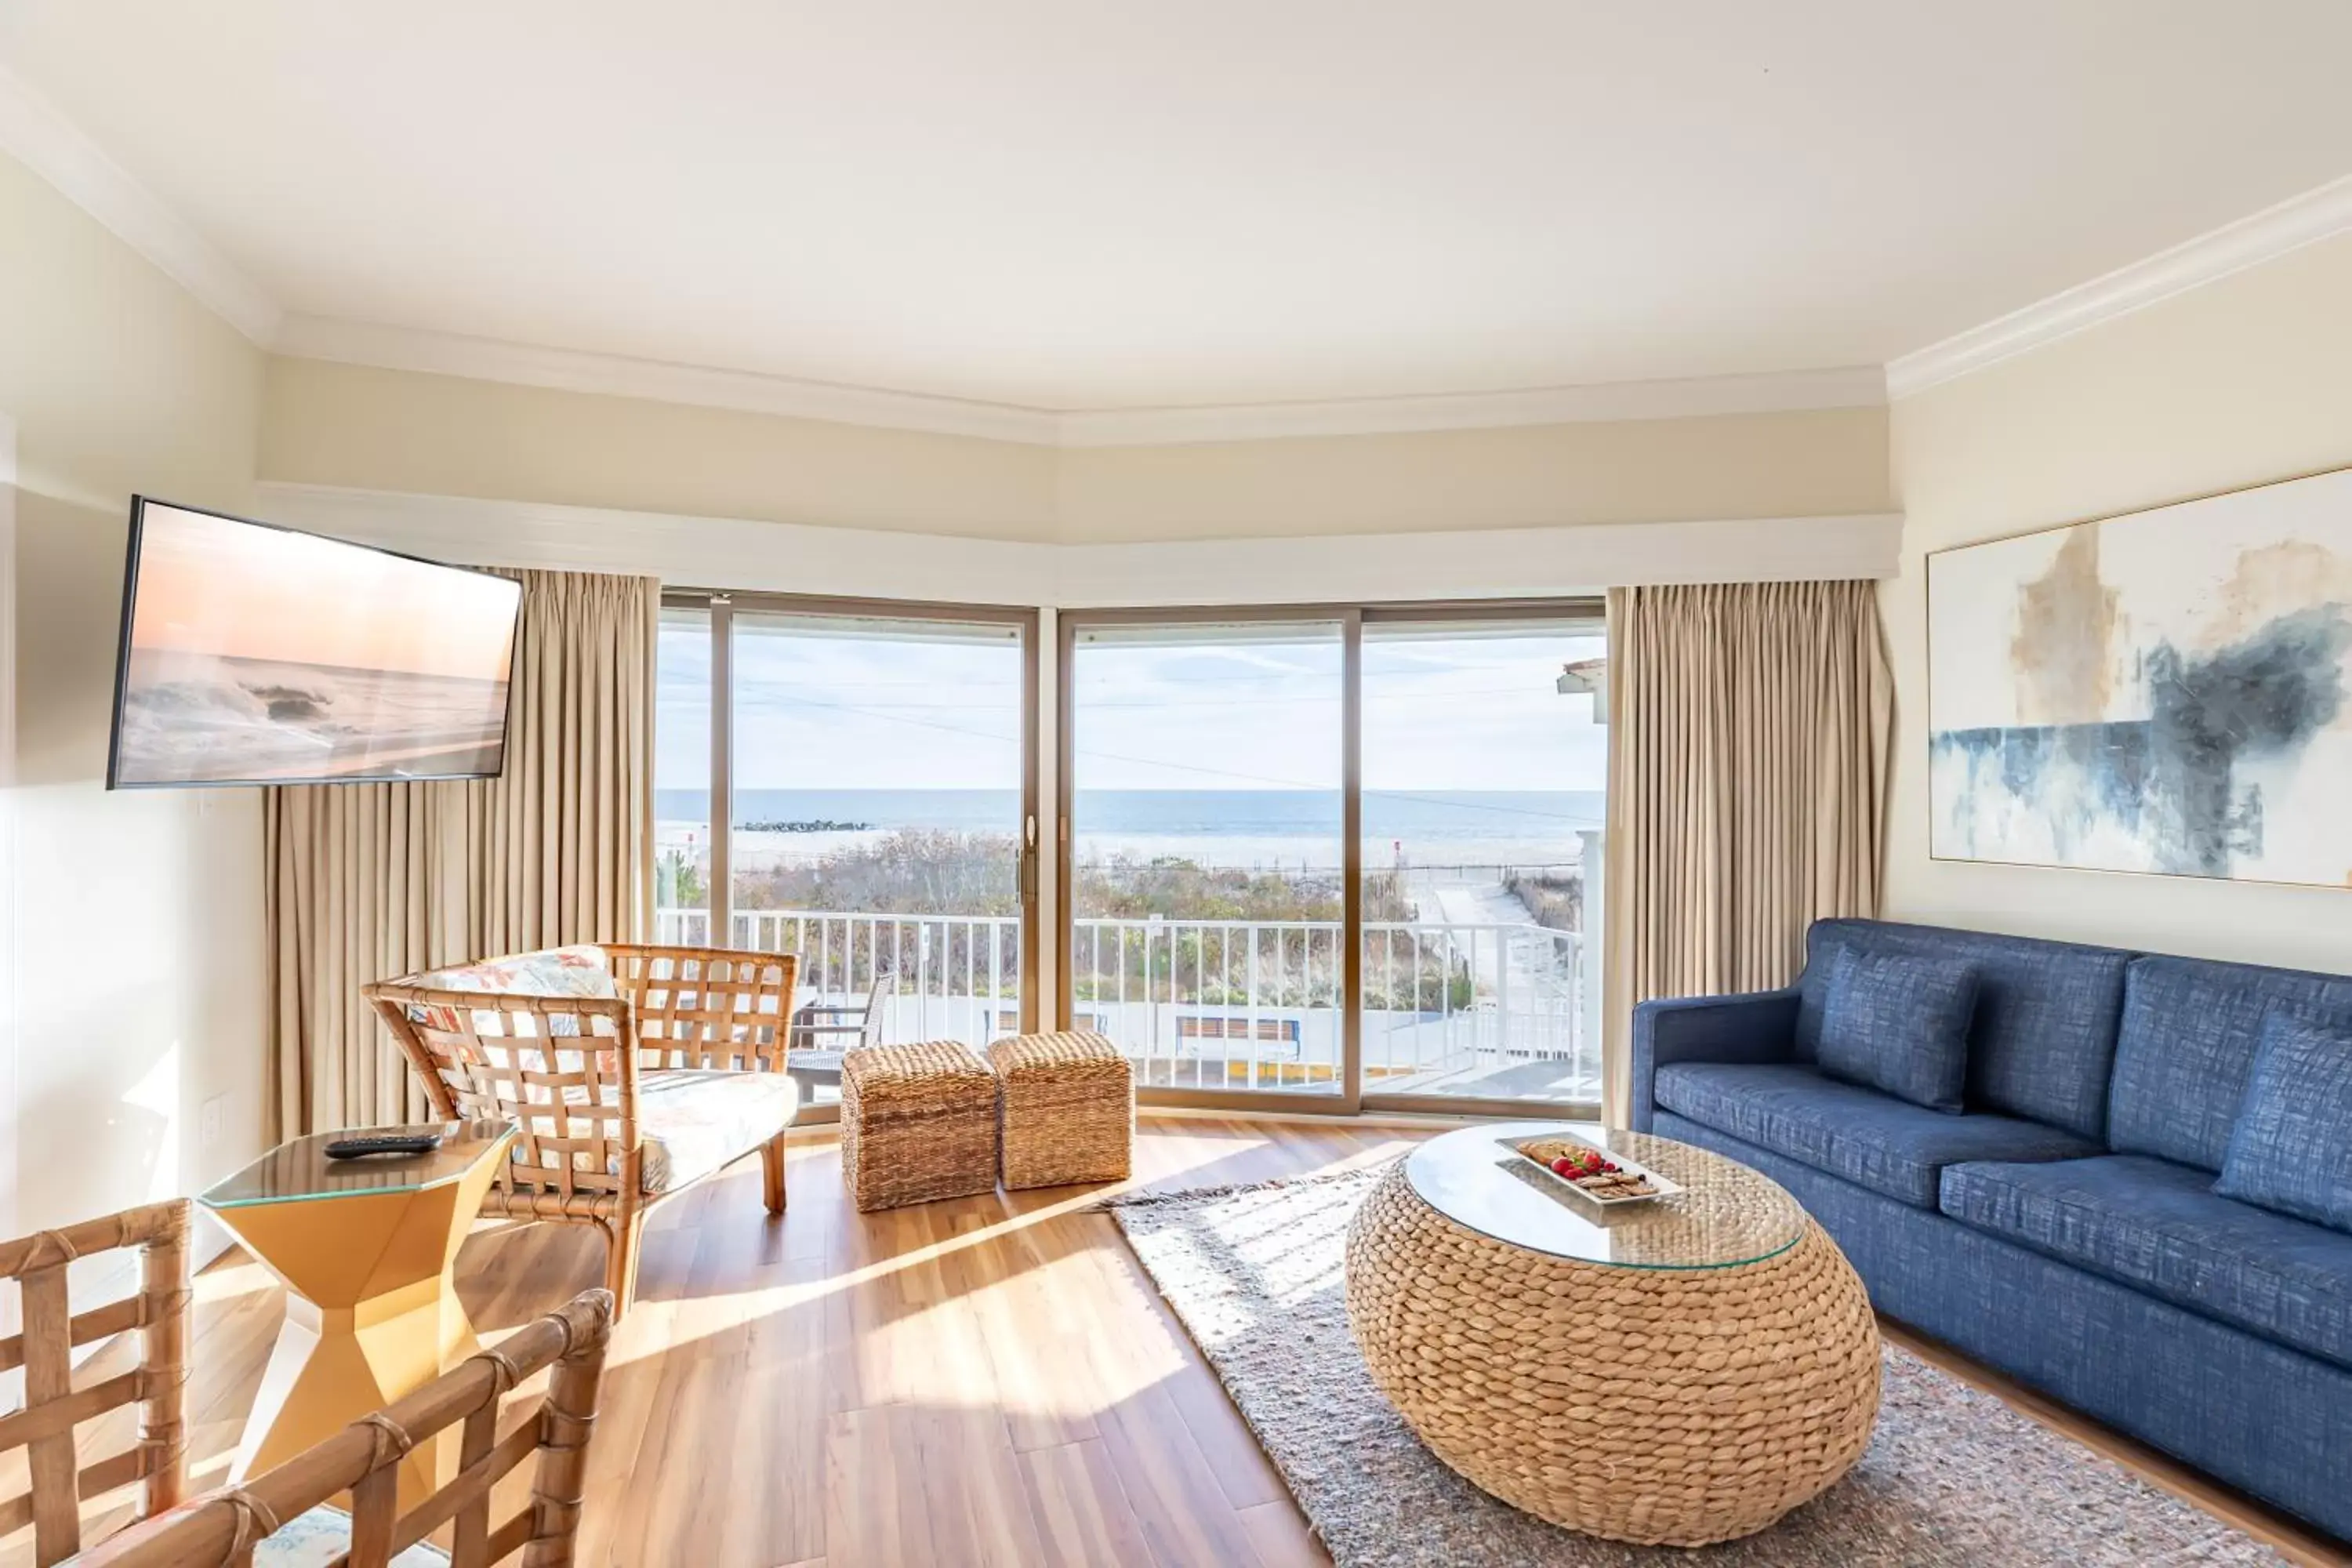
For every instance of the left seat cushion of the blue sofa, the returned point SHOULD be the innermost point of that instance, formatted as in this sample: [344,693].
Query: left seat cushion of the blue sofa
[1859,1134]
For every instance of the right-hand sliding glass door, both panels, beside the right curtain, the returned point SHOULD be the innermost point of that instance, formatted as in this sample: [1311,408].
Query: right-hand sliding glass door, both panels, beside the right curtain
[1339,857]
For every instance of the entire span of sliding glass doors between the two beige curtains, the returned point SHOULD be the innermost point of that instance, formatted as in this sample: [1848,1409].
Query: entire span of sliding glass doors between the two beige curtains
[1325,857]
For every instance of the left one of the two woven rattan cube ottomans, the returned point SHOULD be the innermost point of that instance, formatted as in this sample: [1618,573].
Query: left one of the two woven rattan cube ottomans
[918,1125]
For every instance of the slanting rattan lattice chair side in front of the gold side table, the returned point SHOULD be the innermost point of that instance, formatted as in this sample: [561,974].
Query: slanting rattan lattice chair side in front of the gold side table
[227,1527]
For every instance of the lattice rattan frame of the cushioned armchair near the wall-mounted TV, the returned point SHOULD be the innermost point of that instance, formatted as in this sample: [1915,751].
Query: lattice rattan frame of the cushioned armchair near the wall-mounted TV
[568,1073]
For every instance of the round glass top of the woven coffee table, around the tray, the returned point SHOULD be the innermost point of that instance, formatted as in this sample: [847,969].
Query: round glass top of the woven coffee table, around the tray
[1723,1217]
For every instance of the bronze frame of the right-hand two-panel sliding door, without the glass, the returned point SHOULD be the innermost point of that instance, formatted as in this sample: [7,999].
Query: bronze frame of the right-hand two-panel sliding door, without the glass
[1351,619]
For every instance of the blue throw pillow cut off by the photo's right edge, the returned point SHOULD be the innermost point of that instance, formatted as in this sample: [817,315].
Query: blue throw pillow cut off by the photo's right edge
[2292,1151]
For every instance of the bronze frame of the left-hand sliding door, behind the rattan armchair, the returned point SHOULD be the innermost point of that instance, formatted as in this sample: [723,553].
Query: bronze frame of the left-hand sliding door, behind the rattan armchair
[723,608]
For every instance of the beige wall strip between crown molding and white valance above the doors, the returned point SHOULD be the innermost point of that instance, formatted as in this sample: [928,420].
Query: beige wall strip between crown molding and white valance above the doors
[403,431]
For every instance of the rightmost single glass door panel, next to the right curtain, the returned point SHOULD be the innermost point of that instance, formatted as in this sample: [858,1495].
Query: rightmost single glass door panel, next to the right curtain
[1485,772]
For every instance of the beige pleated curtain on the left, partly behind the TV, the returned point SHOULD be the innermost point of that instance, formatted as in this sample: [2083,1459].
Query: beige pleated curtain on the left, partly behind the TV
[368,883]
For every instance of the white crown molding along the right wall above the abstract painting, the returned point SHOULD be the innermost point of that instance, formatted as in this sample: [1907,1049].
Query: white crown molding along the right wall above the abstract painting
[2210,257]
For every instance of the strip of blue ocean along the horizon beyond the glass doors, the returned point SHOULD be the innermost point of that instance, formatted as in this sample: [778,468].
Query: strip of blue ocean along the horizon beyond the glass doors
[1252,829]
